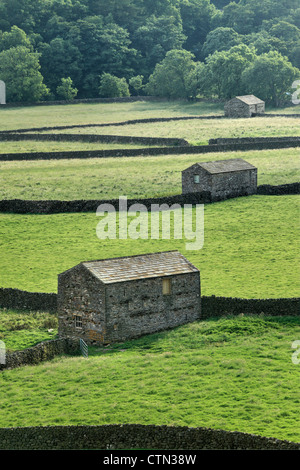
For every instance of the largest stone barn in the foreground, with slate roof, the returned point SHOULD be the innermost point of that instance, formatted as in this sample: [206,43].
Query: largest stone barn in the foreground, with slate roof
[113,300]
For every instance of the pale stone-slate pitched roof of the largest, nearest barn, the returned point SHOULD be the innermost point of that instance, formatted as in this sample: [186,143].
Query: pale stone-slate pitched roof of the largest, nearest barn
[130,268]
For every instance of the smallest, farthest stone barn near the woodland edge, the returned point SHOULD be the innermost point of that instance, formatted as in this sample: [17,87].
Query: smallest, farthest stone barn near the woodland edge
[244,107]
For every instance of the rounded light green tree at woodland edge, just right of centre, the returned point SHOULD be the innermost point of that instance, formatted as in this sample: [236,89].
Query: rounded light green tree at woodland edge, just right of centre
[172,76]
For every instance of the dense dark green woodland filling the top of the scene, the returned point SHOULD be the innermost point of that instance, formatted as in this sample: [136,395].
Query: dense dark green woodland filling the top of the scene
[62,49]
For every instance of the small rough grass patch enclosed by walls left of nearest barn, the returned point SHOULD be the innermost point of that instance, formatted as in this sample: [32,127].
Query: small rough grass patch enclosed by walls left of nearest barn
[24,329]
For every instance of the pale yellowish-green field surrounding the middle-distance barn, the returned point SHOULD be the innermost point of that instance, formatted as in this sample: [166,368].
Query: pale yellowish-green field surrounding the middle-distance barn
[112,177]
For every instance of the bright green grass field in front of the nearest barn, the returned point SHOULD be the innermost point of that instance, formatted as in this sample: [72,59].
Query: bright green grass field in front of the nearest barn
[229,373]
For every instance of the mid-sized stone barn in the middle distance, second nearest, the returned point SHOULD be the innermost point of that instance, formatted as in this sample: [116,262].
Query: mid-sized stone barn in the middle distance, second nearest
[223,178]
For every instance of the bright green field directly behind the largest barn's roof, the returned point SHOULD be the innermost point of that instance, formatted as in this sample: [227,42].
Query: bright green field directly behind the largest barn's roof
[251,247]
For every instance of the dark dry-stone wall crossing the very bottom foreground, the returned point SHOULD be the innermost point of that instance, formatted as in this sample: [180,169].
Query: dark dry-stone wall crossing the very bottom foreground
[134,436]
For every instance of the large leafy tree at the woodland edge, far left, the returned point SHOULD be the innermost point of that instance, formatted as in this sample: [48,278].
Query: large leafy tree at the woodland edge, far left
[20,70]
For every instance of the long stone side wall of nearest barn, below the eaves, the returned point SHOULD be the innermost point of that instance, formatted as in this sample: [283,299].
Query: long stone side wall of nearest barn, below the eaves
[139,307]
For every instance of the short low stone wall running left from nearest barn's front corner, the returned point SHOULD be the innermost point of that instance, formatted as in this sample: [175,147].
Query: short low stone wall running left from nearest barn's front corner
[44,351]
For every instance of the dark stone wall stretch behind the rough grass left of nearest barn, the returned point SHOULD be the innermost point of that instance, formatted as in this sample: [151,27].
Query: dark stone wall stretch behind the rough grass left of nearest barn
[22,300]
